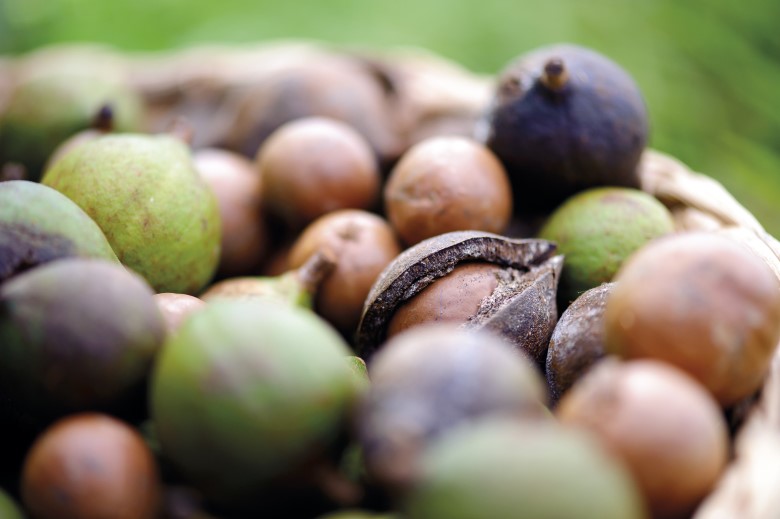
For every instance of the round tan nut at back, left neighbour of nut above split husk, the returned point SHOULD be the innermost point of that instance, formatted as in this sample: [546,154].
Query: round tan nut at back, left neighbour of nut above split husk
[316,165]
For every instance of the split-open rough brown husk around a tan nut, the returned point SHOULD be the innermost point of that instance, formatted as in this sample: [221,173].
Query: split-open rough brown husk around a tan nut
[521,308]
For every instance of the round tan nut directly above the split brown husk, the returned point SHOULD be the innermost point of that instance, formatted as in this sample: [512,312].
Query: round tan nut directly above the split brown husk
[447,184]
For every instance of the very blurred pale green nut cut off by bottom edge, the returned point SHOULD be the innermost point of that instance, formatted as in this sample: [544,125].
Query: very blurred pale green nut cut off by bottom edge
[514,470]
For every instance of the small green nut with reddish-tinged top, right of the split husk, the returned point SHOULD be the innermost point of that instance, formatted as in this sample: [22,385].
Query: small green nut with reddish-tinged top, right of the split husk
[596,230]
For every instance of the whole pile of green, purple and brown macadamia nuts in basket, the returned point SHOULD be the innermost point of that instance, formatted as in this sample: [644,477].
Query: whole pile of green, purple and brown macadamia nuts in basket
[302,282]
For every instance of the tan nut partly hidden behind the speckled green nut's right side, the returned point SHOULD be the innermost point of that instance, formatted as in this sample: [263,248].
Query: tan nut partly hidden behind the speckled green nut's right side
[238,189]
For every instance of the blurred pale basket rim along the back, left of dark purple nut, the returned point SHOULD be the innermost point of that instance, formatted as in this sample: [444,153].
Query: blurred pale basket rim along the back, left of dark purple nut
[208,82]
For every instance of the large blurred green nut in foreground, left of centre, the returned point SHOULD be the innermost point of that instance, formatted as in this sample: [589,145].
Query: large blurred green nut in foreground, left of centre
[248,391]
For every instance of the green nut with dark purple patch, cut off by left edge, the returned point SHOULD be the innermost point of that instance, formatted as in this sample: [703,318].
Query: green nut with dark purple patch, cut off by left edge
[39,224]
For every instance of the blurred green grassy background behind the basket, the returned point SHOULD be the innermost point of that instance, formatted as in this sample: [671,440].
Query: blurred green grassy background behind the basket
[710,69]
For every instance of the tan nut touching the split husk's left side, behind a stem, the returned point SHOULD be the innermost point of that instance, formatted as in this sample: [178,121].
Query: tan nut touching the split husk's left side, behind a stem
[362,244]
